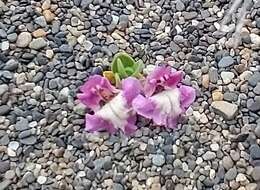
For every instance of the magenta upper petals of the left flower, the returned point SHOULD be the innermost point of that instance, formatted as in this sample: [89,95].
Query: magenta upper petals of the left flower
[95,90]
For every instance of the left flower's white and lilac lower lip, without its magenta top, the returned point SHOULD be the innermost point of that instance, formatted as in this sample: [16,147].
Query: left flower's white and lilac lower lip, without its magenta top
[116,113]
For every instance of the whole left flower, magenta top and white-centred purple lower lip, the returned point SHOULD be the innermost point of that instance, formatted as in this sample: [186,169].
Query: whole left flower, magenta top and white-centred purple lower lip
[117,112]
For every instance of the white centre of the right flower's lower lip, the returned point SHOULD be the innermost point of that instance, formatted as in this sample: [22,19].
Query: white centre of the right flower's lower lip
[168,102]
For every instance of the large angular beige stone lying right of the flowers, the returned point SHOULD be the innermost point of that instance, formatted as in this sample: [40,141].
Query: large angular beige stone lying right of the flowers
[225,109]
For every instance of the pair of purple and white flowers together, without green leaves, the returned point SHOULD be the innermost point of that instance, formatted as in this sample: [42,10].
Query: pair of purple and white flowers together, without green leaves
[160,97]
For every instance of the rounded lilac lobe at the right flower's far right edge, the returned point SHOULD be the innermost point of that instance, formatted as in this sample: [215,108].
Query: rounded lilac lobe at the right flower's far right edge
[188,96]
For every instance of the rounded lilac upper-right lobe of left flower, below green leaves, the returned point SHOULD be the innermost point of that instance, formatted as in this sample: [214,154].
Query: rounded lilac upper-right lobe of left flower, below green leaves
[131,88]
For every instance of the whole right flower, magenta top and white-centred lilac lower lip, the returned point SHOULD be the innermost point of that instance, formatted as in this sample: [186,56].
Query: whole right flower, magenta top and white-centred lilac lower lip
[165,100]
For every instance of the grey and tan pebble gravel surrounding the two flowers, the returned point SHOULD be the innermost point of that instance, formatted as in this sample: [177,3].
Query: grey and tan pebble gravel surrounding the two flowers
[49,47]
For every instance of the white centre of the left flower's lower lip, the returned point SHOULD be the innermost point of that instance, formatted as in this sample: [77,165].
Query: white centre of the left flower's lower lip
[115,111]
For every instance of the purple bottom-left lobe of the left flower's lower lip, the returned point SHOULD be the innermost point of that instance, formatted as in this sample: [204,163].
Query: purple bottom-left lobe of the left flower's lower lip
[96,123]
